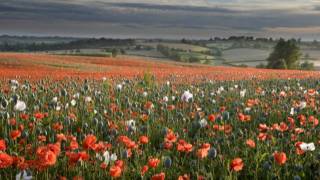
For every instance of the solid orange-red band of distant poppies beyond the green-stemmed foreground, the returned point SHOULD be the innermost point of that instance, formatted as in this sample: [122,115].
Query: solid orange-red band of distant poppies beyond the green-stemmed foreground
[36,66]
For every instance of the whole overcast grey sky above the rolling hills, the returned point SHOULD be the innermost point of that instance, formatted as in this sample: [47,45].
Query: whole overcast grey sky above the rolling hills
[170,19]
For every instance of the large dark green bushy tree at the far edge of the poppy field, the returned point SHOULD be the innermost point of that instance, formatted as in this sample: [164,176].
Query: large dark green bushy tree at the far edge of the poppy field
[286,55]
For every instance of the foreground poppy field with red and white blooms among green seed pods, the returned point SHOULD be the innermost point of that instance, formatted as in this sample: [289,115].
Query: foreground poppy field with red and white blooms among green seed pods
[138,127]
